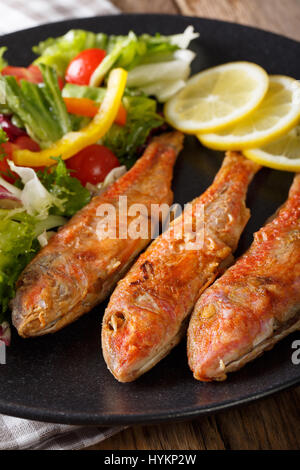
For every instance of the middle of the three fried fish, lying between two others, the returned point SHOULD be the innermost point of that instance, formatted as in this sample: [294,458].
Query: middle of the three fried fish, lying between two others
[146,315]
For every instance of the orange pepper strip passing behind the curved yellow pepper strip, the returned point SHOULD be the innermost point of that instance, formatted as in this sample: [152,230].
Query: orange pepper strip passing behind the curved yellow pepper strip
[88,108]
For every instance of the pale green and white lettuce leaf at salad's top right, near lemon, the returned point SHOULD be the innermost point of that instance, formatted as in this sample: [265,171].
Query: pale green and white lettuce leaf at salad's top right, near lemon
[150,60]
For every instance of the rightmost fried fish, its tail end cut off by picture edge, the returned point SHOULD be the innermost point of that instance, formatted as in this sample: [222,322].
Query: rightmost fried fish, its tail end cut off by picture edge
[255,303]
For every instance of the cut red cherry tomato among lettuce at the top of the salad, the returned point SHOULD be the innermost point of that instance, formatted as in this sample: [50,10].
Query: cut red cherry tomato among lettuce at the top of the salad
[81,68]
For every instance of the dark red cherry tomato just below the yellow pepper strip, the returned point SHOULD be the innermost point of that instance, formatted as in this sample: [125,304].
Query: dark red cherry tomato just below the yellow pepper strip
[93,164]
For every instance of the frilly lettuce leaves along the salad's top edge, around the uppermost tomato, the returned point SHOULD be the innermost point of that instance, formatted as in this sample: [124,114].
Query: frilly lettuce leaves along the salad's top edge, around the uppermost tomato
[167,54]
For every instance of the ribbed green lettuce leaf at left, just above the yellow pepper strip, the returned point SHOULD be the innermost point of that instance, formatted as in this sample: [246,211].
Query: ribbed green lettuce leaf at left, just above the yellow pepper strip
[39,106]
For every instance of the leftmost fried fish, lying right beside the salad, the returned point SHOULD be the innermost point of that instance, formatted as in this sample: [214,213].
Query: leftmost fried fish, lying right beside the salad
[77,270]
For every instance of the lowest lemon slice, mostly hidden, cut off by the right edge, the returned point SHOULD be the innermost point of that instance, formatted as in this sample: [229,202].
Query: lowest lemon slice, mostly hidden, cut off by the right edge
[282,154]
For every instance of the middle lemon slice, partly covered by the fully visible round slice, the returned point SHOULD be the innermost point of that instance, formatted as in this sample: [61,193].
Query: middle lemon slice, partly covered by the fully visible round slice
[277,114]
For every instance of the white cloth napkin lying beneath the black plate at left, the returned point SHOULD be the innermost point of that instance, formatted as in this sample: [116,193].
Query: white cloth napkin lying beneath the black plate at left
[16,433]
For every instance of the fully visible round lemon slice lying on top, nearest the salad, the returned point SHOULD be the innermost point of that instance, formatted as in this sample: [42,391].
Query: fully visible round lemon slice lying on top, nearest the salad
[217,97]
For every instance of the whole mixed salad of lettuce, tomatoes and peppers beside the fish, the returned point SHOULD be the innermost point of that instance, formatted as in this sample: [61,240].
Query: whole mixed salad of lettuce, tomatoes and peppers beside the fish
[70,123]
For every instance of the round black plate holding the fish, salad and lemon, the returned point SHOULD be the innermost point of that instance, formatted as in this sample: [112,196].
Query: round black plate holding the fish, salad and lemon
[63,378]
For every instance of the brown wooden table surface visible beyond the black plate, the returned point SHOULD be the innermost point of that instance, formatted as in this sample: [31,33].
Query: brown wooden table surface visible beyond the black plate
[272,423]
